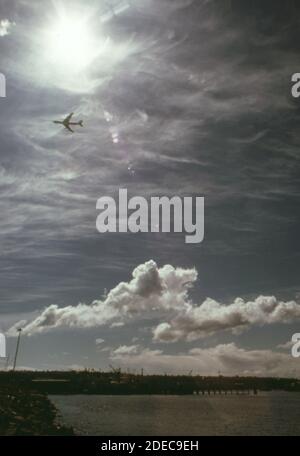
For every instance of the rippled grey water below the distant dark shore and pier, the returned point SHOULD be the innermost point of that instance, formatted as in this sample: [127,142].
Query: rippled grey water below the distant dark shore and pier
[266,414]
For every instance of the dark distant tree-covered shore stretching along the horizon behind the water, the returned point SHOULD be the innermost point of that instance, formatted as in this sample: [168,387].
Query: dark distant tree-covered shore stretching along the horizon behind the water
[118,382]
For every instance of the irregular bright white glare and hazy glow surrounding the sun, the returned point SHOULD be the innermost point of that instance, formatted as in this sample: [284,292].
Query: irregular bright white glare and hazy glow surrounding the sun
[73,51]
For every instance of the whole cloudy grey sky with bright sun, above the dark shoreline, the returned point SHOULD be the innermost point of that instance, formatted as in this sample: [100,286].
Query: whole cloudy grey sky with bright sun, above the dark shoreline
[178,97]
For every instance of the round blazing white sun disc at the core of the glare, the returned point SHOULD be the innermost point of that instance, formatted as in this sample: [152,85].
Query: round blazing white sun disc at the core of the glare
[70,44]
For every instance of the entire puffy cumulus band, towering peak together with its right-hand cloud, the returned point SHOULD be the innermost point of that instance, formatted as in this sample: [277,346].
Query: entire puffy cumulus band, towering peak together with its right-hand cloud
[164,293]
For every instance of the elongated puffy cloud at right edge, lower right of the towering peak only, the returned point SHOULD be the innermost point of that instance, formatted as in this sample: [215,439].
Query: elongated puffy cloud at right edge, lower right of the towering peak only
[210,317]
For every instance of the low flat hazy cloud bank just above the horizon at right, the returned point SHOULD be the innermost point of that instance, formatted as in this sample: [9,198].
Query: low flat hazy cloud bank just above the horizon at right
[227,358]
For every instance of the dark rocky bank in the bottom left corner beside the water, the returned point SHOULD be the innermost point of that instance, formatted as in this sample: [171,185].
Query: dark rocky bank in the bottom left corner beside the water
[26,412]
